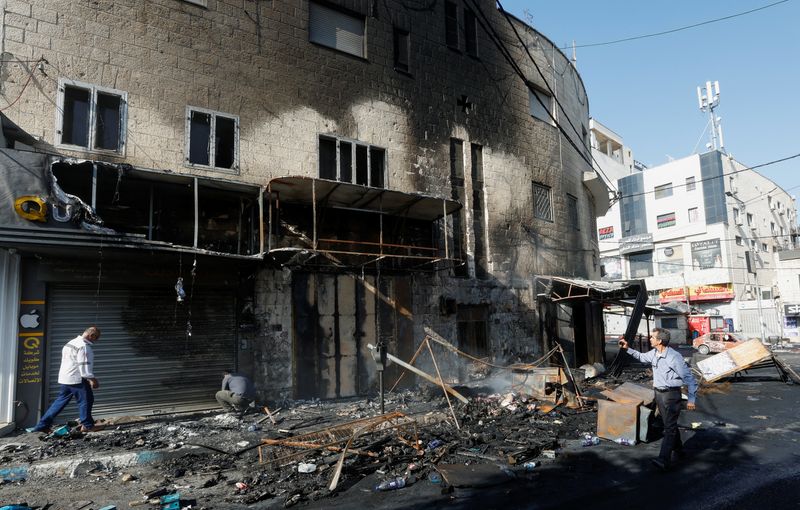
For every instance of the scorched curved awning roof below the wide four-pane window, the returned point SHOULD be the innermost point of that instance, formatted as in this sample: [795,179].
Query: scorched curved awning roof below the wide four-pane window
[341,195]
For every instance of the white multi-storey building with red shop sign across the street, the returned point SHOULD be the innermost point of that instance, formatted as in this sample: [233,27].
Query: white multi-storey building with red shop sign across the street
[686,227]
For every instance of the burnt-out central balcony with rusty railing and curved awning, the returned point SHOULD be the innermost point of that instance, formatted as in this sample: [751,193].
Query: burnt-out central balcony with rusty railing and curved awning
[321,223]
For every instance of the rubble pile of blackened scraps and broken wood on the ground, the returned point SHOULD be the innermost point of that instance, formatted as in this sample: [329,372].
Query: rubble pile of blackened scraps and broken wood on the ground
[220,458]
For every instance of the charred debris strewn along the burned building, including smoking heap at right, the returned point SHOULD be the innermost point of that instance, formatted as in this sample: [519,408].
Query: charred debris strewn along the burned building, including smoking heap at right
[499,428]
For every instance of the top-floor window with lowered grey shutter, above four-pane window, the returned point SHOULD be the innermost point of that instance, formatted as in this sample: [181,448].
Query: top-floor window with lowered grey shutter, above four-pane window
[336,29]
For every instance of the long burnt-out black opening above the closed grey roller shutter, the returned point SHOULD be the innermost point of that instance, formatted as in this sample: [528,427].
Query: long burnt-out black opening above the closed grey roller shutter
[155,208]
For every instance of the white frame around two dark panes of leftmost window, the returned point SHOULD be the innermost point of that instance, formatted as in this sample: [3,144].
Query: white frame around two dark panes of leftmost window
[91,137]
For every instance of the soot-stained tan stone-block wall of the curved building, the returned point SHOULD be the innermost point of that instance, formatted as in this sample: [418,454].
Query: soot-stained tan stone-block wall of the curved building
[429,91]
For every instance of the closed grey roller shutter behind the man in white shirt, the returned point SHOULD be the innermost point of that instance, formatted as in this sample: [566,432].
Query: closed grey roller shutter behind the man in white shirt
[144,360]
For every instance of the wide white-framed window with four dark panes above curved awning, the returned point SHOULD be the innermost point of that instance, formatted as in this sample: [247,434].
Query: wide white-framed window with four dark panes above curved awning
[351,161]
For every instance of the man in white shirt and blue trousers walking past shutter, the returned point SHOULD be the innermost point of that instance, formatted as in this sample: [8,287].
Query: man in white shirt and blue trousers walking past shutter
[76,377]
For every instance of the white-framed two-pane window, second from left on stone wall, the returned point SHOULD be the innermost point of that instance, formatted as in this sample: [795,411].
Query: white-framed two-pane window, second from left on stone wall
[212,139]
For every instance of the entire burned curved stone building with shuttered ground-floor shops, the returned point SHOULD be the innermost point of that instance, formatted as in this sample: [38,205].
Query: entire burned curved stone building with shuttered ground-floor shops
[275,186]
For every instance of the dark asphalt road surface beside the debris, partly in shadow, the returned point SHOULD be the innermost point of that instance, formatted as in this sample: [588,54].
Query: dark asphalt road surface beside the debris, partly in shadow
[745,454]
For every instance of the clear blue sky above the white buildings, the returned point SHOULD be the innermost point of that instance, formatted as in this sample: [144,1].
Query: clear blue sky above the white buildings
[646,90]
